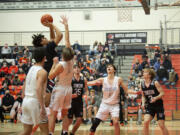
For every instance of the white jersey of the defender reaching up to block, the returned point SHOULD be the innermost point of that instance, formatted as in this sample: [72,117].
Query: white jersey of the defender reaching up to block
[65,78]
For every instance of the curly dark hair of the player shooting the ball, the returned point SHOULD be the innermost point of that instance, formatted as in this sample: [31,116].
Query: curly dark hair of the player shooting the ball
[37,40]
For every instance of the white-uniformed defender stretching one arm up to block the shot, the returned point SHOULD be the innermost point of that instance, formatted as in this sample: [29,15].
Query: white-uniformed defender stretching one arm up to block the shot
[62,92]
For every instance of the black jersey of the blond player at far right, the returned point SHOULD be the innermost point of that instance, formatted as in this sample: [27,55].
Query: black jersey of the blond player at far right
[150,92]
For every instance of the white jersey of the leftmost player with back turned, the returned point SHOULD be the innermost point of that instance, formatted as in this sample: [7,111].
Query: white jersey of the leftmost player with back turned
[30,88]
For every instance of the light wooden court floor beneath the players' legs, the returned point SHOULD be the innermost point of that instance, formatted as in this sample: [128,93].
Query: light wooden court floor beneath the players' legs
[103,129]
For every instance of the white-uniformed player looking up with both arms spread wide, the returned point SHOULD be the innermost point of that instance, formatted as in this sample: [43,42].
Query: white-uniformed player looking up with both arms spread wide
[110,100]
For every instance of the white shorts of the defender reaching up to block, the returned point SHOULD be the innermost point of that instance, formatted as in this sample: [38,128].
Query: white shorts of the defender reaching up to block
[61,98]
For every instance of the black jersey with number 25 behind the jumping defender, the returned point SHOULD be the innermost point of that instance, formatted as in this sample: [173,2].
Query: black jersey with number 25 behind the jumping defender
[78,88]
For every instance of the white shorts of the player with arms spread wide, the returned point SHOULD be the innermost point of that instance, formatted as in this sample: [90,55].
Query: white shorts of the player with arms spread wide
[105,110]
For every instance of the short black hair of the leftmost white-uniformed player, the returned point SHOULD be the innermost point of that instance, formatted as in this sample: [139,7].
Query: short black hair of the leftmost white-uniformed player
[39,54]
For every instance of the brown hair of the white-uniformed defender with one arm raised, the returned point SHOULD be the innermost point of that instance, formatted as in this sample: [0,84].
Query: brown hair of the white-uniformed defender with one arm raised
[68,54]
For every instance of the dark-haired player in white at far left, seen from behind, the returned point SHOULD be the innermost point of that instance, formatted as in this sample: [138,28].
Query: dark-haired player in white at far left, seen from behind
[33,106]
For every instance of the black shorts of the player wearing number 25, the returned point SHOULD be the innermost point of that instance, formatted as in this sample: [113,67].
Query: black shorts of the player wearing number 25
[76,110]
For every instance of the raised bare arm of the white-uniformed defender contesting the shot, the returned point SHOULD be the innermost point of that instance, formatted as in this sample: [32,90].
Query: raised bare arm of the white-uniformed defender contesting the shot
[64,21]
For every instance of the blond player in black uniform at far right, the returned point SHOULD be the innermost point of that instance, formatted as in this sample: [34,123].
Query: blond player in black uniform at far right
[152,101]
